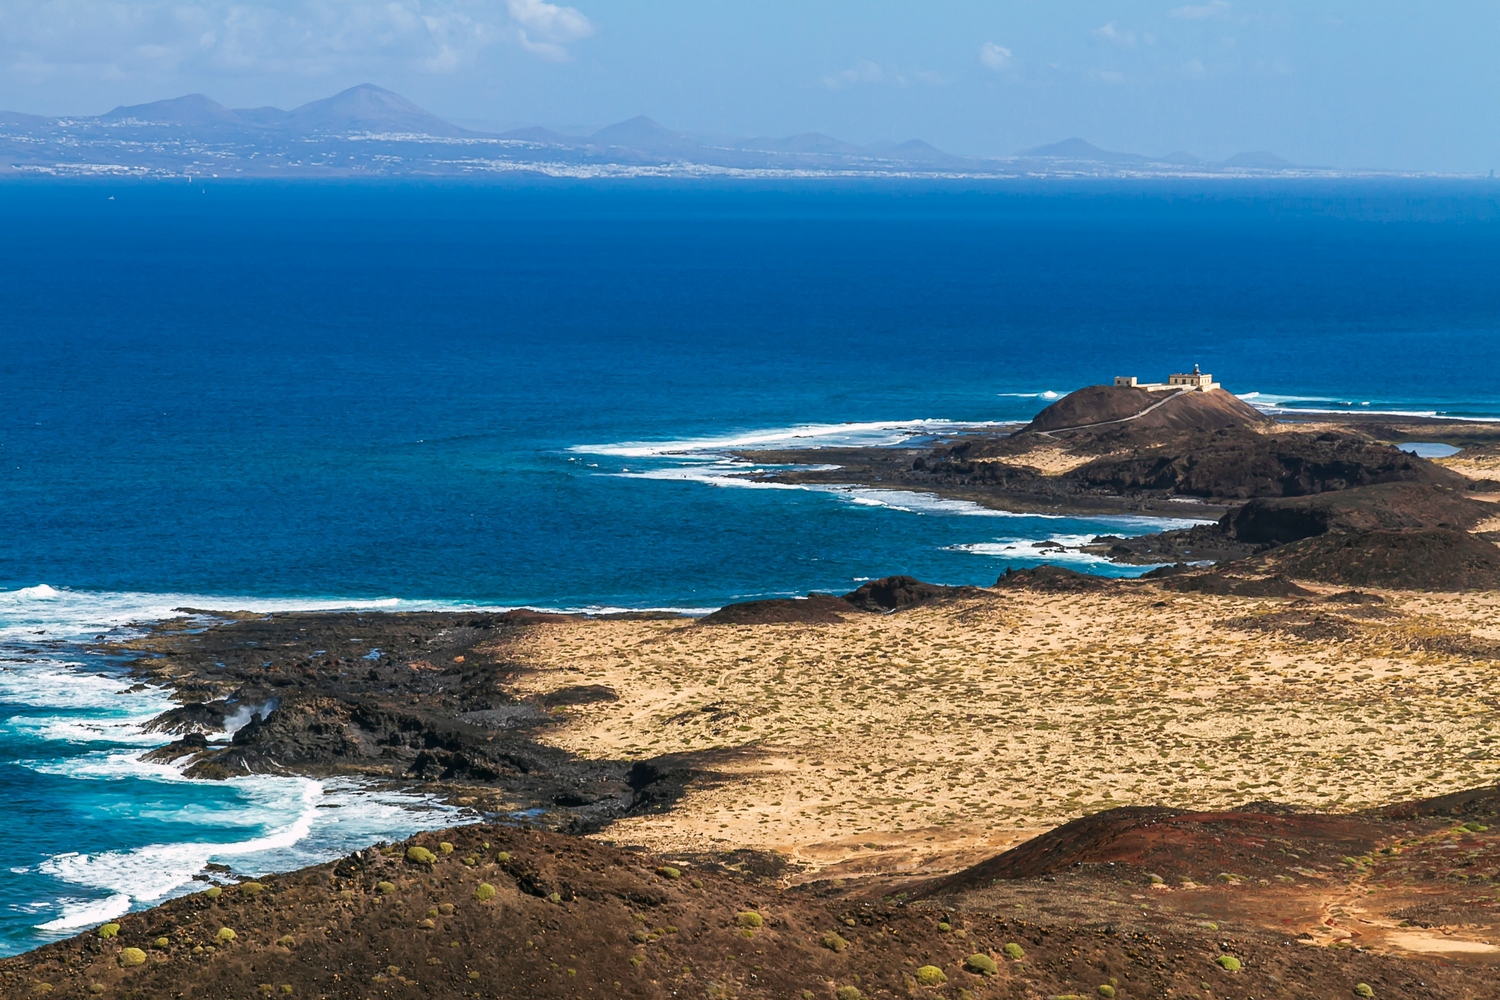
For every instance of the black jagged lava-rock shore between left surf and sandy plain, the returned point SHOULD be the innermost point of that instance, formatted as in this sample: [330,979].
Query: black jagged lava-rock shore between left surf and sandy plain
[416,701]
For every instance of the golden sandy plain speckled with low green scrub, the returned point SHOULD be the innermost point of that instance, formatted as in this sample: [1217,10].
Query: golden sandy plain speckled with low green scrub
[917,740]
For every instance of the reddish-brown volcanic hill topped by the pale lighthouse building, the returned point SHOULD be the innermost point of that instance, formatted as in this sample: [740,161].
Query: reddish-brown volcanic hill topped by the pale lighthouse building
[1115,407]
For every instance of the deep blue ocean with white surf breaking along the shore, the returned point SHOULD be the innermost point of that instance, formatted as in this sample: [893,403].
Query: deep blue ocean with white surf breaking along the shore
[404,397]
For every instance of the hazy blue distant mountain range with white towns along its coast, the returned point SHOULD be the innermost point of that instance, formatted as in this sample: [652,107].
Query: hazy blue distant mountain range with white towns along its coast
[373,133]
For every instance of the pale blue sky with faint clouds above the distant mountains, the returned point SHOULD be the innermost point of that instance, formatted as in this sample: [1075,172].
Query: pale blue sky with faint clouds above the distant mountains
[1339,83]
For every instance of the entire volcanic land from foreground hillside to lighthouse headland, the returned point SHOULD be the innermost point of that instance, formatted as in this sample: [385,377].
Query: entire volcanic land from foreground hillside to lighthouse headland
[1262,771]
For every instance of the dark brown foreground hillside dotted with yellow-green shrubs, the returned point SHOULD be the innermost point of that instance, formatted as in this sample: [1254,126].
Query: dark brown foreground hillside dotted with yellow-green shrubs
[505,912]
